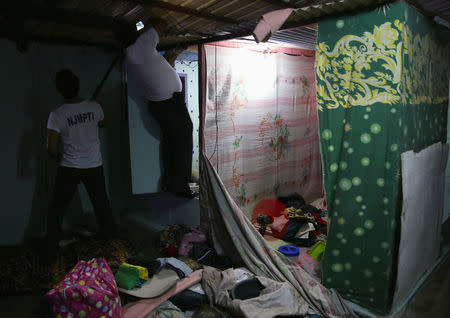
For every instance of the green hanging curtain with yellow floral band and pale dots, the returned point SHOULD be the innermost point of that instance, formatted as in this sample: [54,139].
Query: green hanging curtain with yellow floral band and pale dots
[382,89]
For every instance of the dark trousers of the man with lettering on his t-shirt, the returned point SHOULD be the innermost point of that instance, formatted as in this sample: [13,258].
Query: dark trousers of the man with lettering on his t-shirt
[66,183]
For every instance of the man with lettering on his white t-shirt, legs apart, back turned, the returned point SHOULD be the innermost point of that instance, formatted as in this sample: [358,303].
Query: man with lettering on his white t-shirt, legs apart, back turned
[76,123]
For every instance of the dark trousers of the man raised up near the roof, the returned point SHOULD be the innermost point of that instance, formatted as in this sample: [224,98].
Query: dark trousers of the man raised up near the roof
[176,144]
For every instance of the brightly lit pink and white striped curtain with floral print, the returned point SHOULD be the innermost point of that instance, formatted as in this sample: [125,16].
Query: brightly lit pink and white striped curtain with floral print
[260,122]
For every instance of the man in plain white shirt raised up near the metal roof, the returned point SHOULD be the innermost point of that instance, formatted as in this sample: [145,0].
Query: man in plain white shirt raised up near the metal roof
[161,86]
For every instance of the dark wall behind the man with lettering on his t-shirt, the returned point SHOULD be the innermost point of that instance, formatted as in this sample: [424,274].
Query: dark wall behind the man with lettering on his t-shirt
[28,96]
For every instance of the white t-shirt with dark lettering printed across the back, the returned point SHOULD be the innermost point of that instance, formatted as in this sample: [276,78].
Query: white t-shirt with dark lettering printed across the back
[78,127]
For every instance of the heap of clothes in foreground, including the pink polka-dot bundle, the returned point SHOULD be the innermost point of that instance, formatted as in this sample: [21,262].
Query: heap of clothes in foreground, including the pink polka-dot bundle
[170,289]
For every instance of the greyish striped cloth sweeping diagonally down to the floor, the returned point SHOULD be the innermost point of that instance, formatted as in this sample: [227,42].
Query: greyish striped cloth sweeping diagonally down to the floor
[237,237]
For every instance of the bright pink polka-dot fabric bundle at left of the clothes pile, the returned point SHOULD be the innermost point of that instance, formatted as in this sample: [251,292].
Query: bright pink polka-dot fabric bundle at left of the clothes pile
[88,290]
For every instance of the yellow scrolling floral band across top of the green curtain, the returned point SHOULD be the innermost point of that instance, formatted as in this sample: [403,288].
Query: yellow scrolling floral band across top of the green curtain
[368,69]
